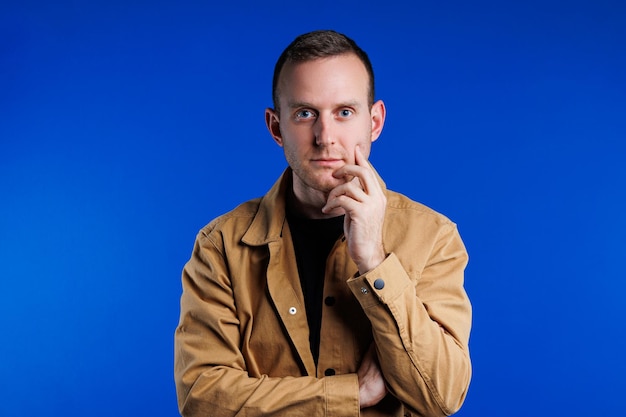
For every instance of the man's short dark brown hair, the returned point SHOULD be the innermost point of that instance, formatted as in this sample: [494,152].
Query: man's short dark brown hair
[320,44]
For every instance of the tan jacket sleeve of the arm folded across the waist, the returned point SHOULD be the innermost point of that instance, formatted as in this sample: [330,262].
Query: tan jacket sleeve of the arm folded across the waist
[211,374]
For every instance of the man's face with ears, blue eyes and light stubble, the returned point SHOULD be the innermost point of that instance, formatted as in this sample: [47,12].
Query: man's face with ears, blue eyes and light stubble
[324,115]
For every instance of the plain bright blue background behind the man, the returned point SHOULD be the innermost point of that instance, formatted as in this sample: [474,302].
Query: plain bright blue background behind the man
[127,126]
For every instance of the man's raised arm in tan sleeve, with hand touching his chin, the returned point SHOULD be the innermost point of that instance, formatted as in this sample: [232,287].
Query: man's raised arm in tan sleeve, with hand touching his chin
[420,324]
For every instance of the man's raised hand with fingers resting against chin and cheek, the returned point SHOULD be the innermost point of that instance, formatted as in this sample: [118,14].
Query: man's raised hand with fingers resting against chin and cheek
[363,200]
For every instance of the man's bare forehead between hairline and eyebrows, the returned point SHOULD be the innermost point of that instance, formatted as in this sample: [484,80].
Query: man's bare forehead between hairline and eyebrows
[326,80]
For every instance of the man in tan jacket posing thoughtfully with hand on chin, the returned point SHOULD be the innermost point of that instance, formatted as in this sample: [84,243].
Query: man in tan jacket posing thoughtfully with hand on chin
[331,295]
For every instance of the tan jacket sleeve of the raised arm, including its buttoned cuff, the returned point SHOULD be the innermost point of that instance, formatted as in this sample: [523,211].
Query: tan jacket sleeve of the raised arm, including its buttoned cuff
[421,323]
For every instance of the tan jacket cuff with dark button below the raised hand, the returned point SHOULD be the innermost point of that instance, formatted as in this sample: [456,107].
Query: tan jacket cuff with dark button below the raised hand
[382,284]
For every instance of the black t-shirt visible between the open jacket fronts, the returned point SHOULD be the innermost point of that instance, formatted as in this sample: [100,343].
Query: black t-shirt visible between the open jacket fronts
[313,239]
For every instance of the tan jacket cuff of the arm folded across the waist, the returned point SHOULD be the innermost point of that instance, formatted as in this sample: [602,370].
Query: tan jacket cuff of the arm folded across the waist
[342,395]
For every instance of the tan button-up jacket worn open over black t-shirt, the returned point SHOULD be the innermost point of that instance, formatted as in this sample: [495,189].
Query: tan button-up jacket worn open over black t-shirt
[242,344]
